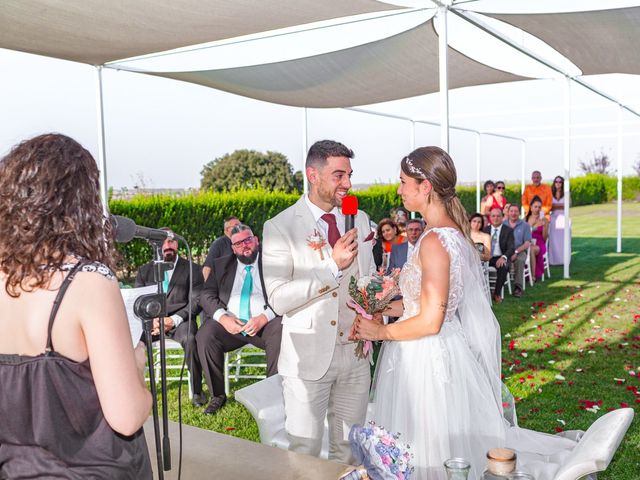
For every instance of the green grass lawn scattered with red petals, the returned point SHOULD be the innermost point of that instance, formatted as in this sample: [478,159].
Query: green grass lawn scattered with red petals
[567,344]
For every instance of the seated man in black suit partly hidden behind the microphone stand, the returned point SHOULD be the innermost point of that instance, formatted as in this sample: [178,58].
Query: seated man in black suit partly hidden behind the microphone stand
[177,325]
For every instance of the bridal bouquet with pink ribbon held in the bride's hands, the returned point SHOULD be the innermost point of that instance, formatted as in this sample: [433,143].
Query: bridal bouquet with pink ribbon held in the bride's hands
[370,295]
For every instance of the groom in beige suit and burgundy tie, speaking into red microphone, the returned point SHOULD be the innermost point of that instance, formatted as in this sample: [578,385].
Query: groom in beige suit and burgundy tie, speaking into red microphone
[308,260]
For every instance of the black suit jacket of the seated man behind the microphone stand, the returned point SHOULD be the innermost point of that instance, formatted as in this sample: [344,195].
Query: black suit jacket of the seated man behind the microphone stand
[178,294]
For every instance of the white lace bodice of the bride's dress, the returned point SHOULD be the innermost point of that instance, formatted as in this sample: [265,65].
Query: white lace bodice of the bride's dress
[411,276]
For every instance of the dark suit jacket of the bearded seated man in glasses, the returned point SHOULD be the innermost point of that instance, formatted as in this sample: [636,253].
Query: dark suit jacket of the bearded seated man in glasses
[216,291]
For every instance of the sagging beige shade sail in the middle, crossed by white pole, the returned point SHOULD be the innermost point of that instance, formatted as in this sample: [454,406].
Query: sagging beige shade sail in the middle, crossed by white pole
[400,66]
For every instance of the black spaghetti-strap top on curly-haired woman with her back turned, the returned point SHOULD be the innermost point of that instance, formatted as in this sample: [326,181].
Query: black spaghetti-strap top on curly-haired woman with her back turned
[51,423]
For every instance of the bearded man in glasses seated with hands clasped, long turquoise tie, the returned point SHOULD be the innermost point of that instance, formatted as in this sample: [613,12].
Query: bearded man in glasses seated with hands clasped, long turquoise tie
[234,295]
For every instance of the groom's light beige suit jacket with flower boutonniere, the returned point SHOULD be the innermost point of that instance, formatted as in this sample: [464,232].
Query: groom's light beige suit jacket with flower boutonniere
[302,288]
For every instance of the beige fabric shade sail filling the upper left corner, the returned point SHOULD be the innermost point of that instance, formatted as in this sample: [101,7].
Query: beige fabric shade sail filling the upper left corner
[99,31]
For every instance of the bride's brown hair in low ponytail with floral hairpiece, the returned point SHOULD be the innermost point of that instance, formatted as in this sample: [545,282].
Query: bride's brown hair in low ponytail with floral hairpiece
[435,165]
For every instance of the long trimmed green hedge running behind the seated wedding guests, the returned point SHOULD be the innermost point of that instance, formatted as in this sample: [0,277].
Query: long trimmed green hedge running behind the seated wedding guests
[199,217]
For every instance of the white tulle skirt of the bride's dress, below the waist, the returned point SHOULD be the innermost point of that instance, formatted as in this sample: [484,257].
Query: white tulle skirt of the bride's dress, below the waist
[435,394]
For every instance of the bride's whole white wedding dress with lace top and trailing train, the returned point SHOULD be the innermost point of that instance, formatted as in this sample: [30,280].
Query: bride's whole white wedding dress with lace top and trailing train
[443,393]
